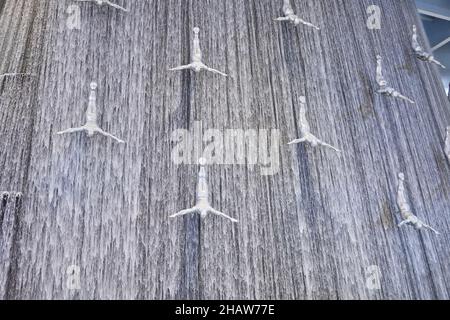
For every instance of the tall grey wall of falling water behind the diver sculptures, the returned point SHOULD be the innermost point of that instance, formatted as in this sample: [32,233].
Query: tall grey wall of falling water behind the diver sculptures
[309,231]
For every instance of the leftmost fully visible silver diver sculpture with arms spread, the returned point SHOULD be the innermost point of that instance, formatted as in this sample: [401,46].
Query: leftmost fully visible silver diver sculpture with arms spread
[91,127]
